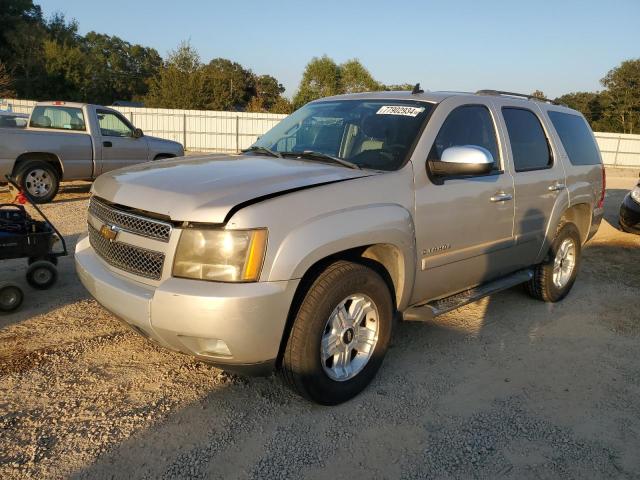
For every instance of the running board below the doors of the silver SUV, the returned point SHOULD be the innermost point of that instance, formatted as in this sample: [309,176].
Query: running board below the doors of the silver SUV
[427,311]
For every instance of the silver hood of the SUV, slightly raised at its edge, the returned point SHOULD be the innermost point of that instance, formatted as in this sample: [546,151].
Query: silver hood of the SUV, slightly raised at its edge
[205,189]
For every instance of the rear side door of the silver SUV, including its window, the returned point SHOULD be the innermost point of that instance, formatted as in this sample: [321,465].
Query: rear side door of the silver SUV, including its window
[539,178]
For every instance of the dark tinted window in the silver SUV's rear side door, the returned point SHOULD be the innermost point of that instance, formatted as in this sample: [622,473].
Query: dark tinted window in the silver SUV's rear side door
[529,144]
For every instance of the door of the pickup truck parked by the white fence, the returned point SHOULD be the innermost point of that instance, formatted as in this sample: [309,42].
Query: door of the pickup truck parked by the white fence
[119,147]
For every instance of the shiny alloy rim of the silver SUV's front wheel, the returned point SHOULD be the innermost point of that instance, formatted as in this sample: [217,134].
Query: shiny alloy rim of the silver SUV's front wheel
[350,337]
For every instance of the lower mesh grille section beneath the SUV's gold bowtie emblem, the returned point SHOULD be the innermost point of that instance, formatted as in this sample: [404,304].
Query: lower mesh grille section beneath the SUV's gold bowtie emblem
[129,258]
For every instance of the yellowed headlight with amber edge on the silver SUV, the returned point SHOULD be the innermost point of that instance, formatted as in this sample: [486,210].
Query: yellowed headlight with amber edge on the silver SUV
[220,255]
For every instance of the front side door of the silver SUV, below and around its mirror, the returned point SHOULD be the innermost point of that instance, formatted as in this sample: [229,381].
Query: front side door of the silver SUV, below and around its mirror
[464,225]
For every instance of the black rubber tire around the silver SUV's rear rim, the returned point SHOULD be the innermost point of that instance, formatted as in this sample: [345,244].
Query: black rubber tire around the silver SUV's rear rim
[541,286]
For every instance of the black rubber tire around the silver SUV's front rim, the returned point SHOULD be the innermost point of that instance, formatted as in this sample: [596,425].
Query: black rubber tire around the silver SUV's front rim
[302,367]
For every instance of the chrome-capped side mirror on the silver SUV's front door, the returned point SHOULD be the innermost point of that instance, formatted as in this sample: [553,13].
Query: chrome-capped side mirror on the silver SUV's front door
[463,160]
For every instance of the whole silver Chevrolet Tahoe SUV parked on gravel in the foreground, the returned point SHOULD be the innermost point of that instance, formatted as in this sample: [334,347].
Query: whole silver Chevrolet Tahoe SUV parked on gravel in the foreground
[355,211]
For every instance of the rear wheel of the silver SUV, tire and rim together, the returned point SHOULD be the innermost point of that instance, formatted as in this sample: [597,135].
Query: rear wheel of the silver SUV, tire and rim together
[553,278]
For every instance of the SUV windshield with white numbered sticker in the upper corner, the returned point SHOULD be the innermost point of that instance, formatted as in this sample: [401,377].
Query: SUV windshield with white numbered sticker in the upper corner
[373,134]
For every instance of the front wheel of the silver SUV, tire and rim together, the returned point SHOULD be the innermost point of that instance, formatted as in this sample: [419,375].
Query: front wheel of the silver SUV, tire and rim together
[340,334]
